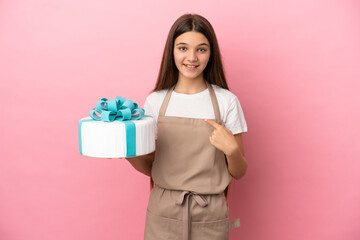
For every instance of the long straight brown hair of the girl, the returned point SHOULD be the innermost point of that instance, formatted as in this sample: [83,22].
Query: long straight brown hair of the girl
[213,73]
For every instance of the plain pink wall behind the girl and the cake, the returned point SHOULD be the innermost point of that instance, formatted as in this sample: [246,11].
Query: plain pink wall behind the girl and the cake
[294,65]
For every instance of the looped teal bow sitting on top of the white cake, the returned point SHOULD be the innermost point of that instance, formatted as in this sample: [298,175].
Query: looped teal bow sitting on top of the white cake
[118,109]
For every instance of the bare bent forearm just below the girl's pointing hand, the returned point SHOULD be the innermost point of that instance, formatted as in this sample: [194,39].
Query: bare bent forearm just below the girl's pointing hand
[237,164]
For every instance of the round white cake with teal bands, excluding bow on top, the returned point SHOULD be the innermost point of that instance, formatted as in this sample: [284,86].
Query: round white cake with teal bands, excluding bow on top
[113,139]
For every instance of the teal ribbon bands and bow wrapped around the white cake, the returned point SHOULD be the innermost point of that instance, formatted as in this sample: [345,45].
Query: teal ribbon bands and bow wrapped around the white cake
[121,110]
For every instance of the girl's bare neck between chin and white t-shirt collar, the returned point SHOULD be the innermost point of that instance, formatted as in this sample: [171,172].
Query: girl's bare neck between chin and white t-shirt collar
[190,86]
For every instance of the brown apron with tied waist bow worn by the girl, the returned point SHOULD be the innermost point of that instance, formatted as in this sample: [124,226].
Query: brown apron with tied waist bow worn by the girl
[190,176]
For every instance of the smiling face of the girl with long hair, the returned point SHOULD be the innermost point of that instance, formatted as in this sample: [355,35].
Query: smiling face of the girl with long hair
[191,54]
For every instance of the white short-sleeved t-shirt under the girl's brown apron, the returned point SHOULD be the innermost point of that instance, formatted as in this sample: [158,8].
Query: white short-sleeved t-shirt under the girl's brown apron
[199,105]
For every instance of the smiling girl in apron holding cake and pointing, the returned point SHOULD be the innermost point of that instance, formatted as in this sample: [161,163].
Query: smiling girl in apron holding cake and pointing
[195,157]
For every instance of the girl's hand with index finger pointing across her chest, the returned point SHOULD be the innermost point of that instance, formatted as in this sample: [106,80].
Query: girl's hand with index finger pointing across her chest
[222,138]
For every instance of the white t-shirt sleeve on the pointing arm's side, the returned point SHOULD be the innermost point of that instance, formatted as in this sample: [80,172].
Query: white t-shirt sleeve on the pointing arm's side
[235,119]
